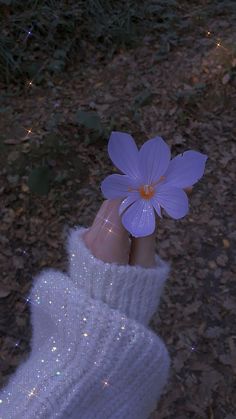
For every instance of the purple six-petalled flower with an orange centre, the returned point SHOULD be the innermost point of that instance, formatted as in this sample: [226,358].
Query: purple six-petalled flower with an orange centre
[150,181]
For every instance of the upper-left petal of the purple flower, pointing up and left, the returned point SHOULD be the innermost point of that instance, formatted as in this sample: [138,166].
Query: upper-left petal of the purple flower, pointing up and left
[124,153]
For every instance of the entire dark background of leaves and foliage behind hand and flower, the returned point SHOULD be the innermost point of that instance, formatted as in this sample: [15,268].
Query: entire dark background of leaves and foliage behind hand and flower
[70,73]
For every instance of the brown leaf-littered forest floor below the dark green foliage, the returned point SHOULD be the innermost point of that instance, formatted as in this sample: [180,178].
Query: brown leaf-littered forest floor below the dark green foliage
[189,99]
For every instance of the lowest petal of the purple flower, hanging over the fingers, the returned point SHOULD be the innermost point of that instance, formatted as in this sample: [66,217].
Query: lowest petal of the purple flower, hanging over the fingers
[139,219]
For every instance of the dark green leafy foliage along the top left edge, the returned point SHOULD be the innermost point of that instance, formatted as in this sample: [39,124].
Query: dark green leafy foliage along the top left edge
[40,38]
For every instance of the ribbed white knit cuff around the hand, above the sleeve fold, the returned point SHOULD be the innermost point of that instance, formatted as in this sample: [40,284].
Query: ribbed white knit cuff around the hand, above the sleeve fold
[133,290]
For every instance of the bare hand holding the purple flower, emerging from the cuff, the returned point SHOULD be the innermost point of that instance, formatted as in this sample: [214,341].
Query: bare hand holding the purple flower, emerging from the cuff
[109,241]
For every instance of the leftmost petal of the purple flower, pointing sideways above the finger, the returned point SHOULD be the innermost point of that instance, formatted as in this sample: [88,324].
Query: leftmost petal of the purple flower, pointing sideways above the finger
[117,186]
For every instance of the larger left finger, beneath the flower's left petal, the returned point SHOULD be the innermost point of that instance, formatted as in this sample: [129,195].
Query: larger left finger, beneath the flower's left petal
[107,239]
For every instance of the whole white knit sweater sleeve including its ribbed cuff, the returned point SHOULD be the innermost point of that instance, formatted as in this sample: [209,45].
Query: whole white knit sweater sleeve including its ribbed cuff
[93,355]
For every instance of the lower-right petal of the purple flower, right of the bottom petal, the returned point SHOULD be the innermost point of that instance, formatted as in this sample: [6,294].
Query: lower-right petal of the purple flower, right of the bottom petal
[173,200]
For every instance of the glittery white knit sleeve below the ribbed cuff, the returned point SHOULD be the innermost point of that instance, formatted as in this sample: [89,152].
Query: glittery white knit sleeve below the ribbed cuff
[96,363]
